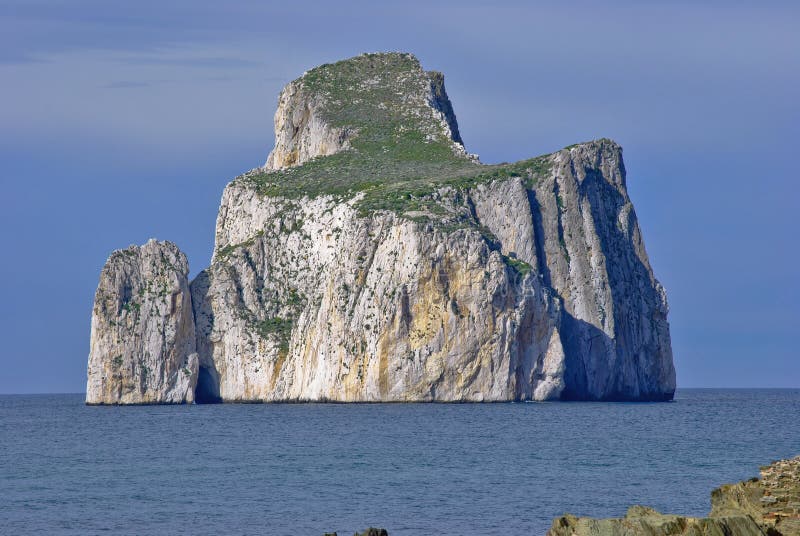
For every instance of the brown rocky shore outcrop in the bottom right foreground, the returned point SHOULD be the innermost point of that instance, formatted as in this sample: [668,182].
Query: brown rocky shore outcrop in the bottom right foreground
[769,505]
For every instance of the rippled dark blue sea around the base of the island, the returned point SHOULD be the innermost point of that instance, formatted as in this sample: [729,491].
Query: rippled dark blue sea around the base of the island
[414,469]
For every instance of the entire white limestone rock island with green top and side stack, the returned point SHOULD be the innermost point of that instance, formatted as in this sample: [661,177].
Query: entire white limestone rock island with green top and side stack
[372,258]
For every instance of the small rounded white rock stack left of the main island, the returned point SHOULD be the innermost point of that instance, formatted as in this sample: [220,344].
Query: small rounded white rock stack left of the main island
[143,339]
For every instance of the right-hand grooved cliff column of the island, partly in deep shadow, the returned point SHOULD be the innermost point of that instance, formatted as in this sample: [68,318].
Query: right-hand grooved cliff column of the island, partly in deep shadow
[614,322]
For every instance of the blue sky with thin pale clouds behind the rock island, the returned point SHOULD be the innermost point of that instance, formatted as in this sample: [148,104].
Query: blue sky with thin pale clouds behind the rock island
[124,121]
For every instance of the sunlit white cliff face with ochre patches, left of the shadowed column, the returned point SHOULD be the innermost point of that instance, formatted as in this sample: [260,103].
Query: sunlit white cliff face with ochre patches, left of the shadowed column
[323,304]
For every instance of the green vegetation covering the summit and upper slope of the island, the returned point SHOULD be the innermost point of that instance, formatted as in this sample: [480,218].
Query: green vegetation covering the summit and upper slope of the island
[400,153]
